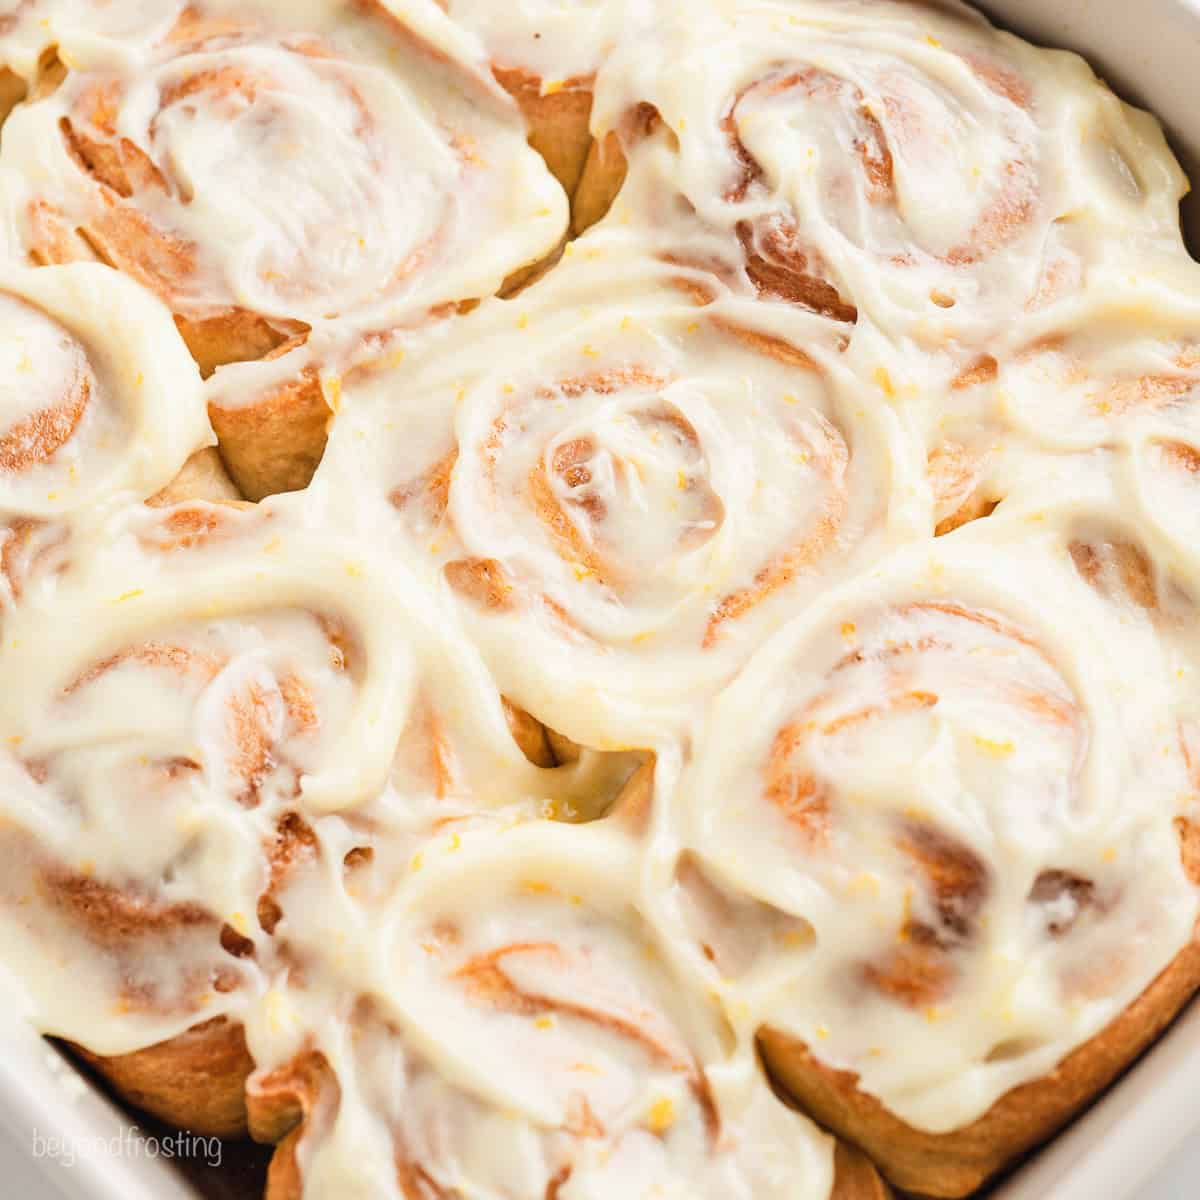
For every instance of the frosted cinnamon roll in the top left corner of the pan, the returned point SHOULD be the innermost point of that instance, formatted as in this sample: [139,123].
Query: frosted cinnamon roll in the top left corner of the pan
[268,179]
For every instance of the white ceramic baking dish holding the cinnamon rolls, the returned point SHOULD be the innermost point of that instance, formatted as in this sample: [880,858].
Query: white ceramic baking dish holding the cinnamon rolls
[1150,52]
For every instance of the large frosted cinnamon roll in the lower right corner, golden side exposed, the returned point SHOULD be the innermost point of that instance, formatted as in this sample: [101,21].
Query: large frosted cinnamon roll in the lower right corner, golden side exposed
[962,845]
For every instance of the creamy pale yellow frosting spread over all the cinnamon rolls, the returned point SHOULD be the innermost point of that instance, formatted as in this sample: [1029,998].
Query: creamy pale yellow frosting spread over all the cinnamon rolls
[833,495]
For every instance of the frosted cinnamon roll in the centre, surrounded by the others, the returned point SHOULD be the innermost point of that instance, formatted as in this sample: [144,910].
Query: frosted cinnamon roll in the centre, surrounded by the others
[620,493]
